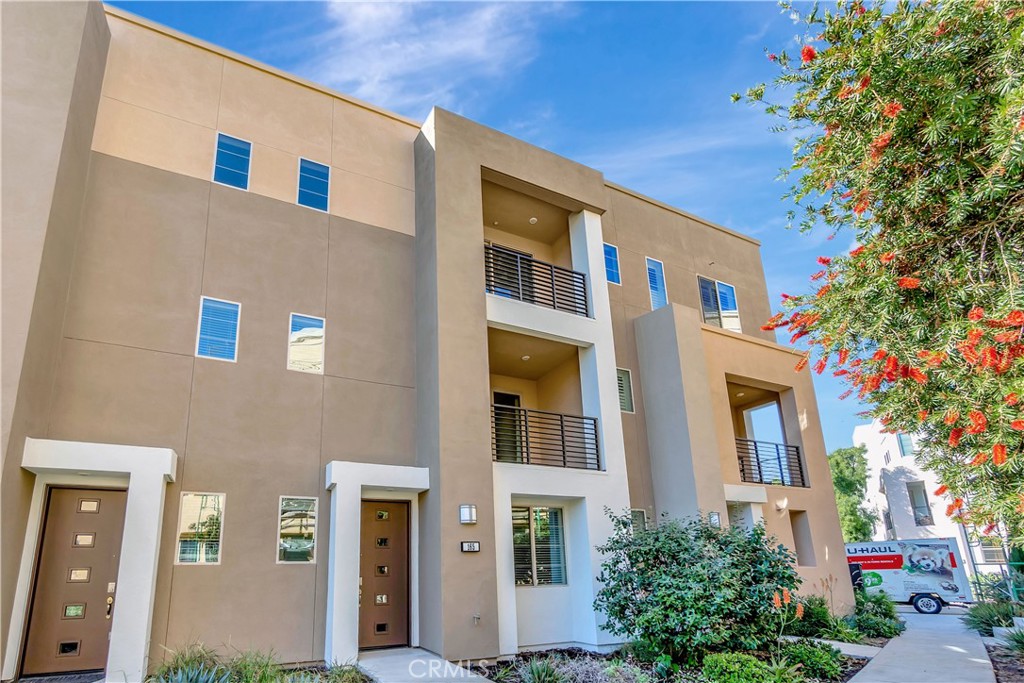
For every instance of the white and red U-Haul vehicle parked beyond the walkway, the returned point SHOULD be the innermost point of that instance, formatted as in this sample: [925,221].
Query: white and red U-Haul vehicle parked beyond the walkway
[924,573]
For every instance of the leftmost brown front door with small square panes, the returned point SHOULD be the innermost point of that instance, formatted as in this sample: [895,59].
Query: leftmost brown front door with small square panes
[76,582]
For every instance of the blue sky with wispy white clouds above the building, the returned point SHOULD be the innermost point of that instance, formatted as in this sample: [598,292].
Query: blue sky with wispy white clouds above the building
[638,91]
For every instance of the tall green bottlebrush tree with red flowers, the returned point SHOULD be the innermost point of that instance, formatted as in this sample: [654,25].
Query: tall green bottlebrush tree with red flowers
[911,136]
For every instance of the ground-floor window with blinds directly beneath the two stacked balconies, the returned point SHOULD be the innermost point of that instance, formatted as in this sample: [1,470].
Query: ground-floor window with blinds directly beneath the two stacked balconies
[539,546]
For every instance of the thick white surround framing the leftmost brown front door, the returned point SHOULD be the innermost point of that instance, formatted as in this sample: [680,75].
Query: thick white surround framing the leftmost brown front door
[145,473]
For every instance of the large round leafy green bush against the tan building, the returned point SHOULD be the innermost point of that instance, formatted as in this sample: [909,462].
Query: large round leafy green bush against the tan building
[687,588]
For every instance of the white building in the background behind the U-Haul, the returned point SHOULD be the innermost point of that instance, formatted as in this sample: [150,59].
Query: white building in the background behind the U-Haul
[903,495]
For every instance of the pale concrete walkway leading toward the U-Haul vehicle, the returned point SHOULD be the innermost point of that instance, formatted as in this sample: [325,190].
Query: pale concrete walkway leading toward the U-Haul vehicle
[935,649]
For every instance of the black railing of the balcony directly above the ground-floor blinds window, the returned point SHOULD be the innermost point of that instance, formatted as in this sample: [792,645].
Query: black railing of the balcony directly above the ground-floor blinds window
[540,438]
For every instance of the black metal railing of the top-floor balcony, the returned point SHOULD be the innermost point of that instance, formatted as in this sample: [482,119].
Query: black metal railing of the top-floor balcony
[518,276]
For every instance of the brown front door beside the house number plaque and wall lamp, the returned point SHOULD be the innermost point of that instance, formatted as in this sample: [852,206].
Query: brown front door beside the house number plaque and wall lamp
[385,575]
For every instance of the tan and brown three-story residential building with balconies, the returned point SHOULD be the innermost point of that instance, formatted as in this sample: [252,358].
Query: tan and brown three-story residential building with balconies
[284,370]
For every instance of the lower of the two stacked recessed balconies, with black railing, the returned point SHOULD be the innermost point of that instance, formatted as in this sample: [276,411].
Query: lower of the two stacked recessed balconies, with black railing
[537,405]
